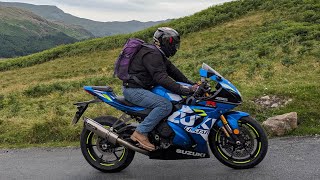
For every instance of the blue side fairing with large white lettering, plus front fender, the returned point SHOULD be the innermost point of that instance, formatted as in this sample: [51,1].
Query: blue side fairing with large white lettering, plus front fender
[192,124]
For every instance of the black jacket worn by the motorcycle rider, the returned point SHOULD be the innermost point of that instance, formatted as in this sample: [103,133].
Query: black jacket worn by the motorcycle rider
[152,68]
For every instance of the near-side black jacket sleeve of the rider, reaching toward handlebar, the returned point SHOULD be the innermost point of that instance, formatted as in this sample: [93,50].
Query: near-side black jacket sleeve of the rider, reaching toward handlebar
[155,65]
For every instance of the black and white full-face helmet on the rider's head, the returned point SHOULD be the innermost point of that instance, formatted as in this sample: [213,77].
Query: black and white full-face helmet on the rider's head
[168,39]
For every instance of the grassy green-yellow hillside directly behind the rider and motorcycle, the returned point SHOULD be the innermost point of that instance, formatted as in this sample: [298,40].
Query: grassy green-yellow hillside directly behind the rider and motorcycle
[264,47]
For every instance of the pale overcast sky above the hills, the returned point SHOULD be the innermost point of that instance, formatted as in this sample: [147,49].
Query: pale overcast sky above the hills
[125,10]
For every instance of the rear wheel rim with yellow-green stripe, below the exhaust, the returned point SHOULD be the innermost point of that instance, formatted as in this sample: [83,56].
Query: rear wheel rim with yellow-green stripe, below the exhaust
[103,152]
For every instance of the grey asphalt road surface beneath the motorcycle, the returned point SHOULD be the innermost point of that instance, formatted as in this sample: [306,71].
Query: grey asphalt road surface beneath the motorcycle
[287,158]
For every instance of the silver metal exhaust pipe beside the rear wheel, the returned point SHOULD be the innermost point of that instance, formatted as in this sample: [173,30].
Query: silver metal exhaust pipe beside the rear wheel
[109,135]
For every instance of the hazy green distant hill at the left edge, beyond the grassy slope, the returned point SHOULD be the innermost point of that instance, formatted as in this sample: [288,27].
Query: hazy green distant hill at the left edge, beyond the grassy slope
[22,33]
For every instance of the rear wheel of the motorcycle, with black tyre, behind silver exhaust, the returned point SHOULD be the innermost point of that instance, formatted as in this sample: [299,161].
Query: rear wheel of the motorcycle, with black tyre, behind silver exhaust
[100,153]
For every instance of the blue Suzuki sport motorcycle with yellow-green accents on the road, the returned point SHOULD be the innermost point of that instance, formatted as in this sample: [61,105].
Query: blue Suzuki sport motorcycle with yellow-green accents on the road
[204,118]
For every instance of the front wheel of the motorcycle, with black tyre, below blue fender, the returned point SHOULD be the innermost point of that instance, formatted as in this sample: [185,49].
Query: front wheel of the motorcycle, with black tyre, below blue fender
[251,151]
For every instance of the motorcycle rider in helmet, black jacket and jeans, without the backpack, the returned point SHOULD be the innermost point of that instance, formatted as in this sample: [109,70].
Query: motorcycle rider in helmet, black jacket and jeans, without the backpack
[150,67]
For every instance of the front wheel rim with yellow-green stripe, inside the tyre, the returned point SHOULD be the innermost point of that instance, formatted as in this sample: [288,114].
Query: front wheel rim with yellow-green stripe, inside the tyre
[239,154]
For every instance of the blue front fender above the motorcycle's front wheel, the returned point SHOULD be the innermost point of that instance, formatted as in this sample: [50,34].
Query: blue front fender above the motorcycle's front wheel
[232,118]
